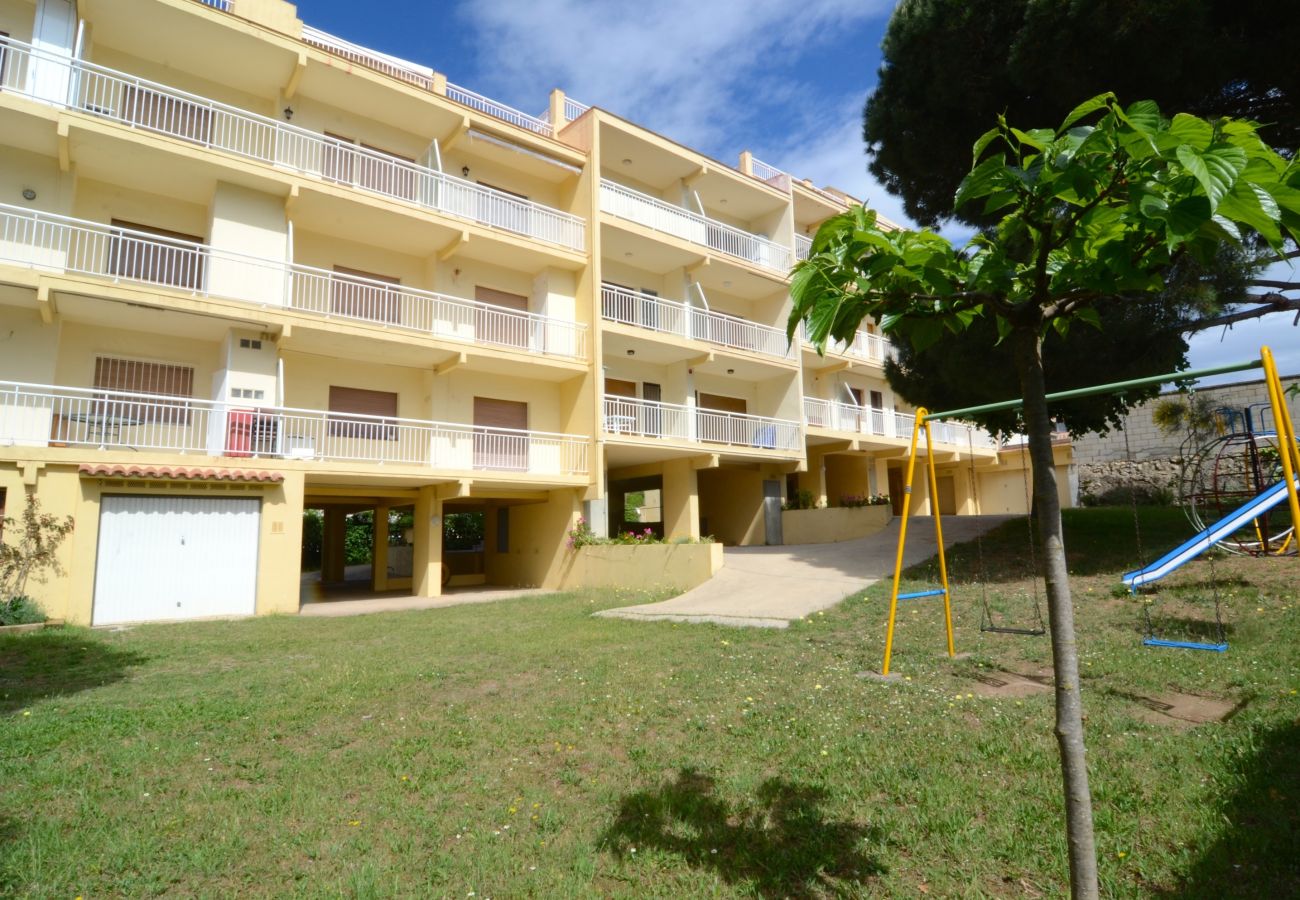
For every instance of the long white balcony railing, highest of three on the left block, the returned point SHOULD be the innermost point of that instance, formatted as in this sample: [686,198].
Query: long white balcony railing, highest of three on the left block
[148,106]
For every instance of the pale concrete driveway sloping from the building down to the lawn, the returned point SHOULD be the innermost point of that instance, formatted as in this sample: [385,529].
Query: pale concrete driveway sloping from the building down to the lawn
[769,587]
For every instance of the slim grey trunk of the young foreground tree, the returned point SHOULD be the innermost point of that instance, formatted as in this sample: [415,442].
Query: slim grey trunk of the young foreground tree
[1065,652]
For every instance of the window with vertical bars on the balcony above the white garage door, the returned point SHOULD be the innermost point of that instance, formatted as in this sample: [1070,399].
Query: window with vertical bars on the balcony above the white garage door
[170,383]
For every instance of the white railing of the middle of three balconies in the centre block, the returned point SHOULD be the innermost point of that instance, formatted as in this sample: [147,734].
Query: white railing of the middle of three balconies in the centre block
[630,308]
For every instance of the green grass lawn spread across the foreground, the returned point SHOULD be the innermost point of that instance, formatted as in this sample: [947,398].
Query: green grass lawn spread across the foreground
[525,748]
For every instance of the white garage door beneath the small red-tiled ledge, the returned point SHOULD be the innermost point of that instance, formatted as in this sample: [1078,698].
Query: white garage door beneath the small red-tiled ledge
[176,559]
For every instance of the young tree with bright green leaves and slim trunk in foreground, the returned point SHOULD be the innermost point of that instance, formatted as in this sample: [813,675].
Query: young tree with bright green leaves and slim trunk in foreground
[1097,211]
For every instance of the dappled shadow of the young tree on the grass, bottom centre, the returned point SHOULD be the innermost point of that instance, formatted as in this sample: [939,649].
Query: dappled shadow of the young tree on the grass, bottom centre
[781,845]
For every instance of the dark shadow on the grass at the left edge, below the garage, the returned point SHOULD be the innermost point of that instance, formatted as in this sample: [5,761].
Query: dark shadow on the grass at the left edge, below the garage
[57,663]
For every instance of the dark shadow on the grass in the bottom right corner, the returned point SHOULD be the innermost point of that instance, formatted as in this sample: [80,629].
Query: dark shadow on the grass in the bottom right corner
[1255,855]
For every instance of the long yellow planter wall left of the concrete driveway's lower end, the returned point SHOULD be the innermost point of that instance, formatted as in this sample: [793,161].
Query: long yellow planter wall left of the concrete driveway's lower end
[677,566]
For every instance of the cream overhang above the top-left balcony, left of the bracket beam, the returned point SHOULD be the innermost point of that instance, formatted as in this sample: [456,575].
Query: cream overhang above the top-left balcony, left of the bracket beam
[222,47]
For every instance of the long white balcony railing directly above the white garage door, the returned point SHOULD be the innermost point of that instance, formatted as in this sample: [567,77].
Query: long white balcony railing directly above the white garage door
[46,416]
